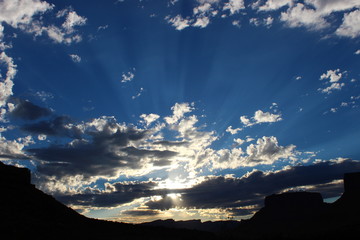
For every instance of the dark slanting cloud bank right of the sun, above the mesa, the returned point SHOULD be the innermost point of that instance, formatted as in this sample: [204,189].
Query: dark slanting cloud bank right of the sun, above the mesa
[229,192]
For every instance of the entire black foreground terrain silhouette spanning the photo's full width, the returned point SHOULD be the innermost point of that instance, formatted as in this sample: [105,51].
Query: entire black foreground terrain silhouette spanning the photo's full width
[28,213]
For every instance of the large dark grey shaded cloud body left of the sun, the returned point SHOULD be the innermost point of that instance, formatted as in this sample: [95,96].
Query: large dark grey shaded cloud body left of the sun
[101,153]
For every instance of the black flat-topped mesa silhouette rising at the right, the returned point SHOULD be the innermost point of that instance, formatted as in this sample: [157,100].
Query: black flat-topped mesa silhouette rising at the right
[304,215]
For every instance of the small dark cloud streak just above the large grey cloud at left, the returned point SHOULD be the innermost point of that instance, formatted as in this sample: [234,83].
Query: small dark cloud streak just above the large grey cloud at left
[61,126]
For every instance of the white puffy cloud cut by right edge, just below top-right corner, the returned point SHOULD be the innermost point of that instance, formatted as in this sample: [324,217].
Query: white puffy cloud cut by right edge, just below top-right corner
[350,26]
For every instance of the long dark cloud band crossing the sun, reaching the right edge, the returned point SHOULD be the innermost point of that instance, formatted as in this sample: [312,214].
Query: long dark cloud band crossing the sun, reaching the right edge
[239,195]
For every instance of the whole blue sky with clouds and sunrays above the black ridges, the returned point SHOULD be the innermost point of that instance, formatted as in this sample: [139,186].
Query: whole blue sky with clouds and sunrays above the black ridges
[136,110]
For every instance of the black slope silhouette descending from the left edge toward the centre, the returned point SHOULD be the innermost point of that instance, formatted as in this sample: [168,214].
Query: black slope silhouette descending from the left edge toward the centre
[28,213]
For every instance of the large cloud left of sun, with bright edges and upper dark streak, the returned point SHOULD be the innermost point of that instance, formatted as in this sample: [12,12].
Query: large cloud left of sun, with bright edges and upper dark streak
[102,147]
